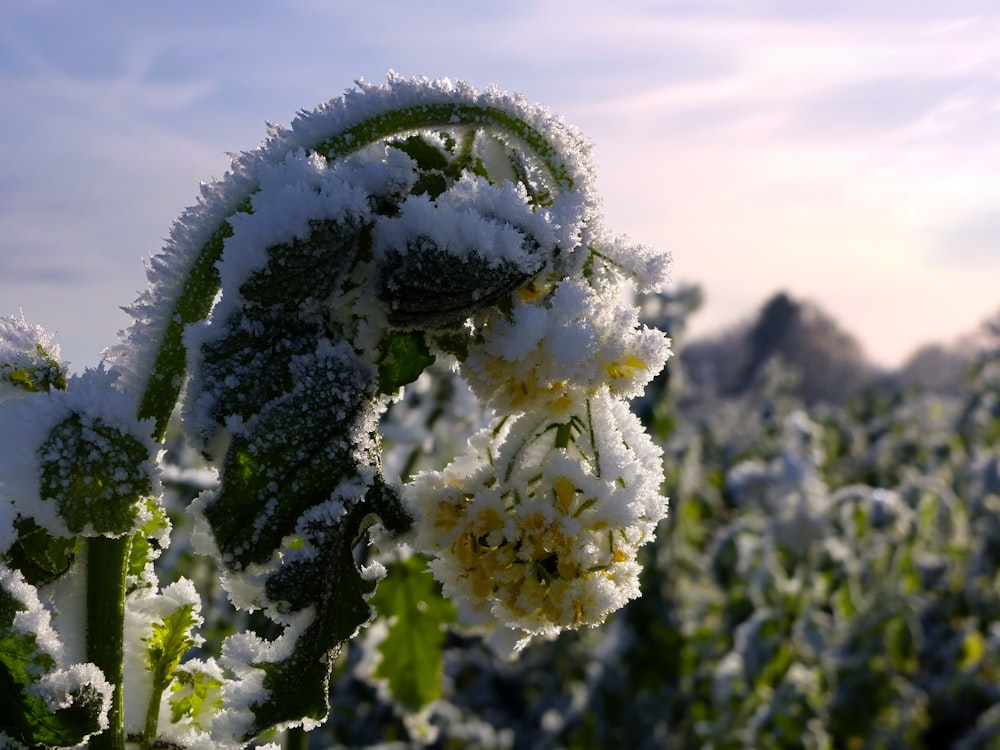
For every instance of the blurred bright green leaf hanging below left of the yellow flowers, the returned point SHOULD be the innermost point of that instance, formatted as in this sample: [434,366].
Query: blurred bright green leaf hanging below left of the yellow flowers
[411,600]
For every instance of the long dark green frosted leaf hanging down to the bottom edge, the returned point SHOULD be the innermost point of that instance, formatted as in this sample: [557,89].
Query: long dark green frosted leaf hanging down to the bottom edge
[303,447]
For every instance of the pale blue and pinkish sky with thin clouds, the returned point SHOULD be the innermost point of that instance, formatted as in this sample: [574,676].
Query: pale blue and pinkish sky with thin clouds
[844,151]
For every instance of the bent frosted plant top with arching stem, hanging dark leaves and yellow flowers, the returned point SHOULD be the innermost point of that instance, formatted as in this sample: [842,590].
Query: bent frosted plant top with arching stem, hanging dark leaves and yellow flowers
[387,228]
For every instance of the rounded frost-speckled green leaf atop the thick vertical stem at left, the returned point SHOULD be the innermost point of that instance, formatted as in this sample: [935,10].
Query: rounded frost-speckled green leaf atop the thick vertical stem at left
[96,473]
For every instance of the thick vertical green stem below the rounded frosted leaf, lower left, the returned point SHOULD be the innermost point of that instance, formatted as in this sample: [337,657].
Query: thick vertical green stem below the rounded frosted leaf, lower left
[107,565]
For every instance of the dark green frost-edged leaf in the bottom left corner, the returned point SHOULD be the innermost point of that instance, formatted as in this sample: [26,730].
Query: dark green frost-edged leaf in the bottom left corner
[25,716]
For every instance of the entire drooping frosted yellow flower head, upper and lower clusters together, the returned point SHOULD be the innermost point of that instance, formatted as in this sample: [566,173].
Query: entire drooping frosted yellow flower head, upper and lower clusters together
[535,528]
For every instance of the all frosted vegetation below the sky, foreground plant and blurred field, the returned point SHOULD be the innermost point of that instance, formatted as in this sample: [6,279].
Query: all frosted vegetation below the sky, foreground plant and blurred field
[385,455]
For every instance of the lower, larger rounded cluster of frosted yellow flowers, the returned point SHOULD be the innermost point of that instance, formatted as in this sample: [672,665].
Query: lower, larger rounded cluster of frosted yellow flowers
[538,524]
